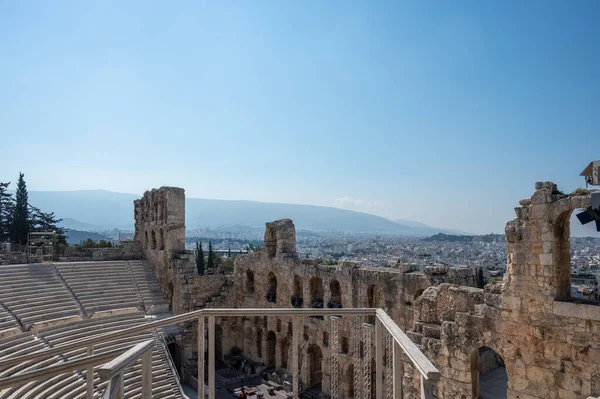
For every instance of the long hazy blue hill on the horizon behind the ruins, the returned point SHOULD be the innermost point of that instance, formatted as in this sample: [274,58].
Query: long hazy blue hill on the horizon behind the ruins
[101,210]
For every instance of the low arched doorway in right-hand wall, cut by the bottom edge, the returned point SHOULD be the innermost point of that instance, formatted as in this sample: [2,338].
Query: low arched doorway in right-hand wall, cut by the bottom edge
[488,374]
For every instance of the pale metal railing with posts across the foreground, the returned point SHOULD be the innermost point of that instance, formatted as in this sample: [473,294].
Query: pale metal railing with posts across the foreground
[387,337]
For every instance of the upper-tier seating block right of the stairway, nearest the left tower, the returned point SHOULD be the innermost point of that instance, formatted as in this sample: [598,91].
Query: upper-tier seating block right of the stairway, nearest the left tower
[100,285]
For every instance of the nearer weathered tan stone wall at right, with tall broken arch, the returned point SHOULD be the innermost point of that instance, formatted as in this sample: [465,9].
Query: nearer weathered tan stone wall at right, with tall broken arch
[550,344]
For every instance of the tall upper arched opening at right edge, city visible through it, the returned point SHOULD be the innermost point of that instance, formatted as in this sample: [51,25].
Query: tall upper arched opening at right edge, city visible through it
[574,277]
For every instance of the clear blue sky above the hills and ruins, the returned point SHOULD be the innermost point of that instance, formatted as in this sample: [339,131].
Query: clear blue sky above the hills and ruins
[441,112]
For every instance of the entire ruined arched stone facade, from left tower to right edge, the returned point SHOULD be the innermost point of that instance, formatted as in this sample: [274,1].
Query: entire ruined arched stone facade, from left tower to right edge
[549,344]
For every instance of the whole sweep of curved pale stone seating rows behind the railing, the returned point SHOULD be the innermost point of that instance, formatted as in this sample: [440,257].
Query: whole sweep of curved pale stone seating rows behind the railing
[42,306]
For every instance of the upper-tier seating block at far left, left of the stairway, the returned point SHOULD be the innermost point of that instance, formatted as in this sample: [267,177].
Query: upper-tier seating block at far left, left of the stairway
[34,293]
